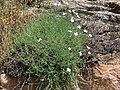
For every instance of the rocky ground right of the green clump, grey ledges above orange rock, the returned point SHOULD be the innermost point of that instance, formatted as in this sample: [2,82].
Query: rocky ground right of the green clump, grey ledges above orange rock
[103,22]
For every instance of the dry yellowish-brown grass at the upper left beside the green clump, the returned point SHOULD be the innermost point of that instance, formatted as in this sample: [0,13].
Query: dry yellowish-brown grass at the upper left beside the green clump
[10,19]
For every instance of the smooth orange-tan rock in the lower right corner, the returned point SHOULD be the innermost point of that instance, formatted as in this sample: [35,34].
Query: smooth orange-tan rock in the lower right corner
[109,74]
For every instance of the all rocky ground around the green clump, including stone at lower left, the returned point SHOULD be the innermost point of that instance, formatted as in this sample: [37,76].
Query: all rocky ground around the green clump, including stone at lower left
[102,20]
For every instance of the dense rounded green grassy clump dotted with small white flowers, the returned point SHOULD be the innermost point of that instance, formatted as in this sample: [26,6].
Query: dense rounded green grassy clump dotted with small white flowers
[50,48]
